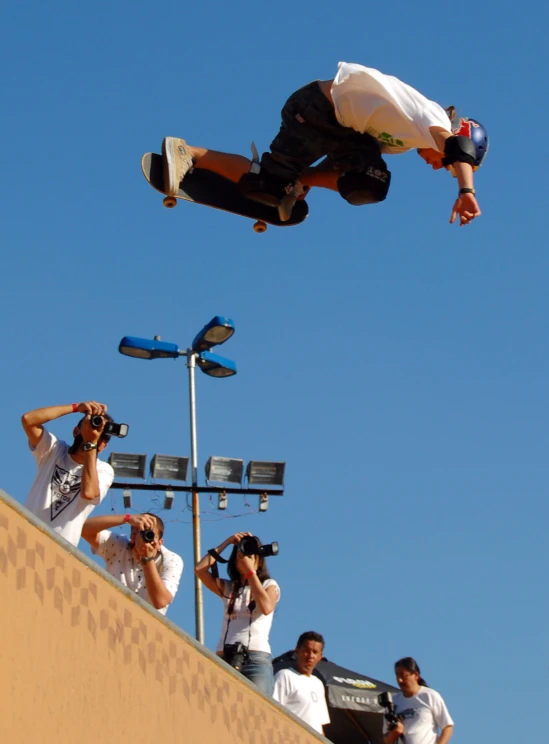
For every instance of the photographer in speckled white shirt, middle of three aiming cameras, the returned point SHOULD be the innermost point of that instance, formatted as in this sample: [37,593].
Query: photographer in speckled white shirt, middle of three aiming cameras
[141,563]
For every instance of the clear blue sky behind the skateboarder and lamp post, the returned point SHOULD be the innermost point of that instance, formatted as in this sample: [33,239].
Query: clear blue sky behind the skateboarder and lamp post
[397,364]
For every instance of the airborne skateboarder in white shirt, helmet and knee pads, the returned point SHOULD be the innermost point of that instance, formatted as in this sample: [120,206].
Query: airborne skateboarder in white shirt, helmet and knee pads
[349,121]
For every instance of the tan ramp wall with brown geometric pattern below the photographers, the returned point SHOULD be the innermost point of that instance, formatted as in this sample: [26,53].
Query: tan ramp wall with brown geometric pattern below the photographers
[84,660]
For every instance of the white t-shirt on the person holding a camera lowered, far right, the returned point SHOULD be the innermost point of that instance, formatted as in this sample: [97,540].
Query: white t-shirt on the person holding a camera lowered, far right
[422,715]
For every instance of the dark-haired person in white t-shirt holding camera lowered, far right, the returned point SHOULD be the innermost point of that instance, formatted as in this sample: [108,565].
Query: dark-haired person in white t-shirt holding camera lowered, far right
[421,711]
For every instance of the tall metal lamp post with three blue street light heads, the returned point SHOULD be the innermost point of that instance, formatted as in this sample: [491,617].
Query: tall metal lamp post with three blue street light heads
[216,332]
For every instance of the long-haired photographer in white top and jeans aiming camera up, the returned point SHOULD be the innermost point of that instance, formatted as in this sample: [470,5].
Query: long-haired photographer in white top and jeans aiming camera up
[249,599]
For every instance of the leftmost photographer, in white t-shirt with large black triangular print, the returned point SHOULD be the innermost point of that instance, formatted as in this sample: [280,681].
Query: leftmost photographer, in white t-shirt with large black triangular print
[71,480]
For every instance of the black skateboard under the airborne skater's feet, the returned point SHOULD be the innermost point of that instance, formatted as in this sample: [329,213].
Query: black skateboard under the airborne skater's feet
[211,190]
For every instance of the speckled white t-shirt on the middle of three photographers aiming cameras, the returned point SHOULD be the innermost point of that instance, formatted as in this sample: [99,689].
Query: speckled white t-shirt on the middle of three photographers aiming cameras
[120,563]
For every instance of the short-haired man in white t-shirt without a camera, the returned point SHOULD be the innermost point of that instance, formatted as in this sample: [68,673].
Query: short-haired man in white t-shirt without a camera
[298,689]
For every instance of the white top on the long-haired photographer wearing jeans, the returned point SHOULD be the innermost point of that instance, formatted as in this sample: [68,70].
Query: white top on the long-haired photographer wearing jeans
[238,629]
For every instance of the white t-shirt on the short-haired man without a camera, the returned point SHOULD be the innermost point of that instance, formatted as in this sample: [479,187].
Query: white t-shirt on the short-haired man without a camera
[304,696]
